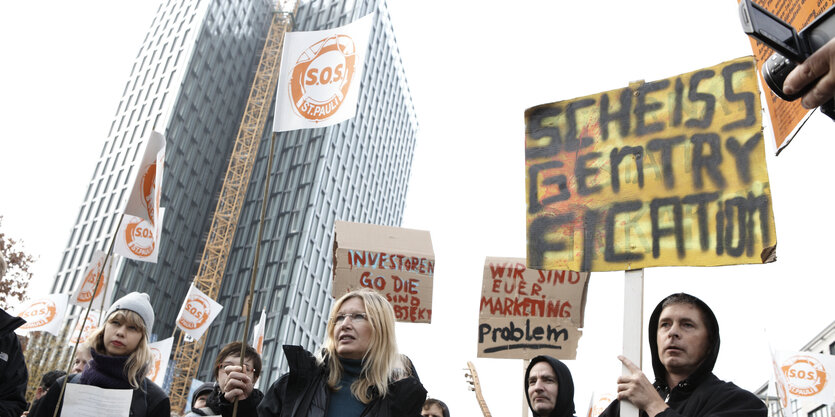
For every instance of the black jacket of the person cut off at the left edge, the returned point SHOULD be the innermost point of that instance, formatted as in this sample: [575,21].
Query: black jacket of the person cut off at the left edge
[13,373]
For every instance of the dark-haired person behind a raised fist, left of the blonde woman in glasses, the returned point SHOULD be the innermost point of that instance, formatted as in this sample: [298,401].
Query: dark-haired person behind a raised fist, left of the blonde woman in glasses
[233,382]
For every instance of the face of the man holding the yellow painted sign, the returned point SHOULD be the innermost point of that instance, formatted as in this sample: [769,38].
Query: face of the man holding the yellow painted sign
[682,339]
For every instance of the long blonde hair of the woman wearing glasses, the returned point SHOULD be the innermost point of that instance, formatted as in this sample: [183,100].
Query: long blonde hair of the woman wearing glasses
[382,363]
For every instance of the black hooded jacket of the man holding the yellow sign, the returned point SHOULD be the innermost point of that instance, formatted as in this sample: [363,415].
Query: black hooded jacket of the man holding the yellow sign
[701,394]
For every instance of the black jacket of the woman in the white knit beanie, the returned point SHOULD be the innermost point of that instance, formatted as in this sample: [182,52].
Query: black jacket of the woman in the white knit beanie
[150,400]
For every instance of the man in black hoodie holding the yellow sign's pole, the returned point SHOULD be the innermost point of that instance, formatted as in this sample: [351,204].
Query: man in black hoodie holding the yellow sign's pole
[684,343]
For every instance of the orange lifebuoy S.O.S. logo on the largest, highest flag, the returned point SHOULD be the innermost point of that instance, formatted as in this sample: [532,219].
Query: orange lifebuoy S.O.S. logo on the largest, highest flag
[322,77]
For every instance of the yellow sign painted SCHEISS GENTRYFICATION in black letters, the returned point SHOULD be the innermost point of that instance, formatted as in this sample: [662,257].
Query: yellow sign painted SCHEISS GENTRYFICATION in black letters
[666,173]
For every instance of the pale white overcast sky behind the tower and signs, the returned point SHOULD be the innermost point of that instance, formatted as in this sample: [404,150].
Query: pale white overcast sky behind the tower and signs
[473,67]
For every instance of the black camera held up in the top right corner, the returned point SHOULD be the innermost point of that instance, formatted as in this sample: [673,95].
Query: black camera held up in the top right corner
[791,47]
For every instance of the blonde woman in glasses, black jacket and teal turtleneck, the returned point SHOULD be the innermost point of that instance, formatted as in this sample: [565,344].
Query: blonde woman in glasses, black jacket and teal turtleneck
[357,372]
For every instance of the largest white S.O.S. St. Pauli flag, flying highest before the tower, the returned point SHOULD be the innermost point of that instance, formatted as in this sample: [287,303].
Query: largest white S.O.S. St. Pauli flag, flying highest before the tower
[320,76]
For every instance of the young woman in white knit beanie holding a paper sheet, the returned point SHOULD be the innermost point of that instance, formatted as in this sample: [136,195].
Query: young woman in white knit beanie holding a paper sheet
[121,360]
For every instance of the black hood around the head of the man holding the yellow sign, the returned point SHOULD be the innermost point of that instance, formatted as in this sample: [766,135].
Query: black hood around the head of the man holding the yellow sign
[706,367]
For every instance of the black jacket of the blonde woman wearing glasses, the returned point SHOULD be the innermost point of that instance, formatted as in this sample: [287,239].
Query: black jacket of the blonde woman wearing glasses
[304,392]
